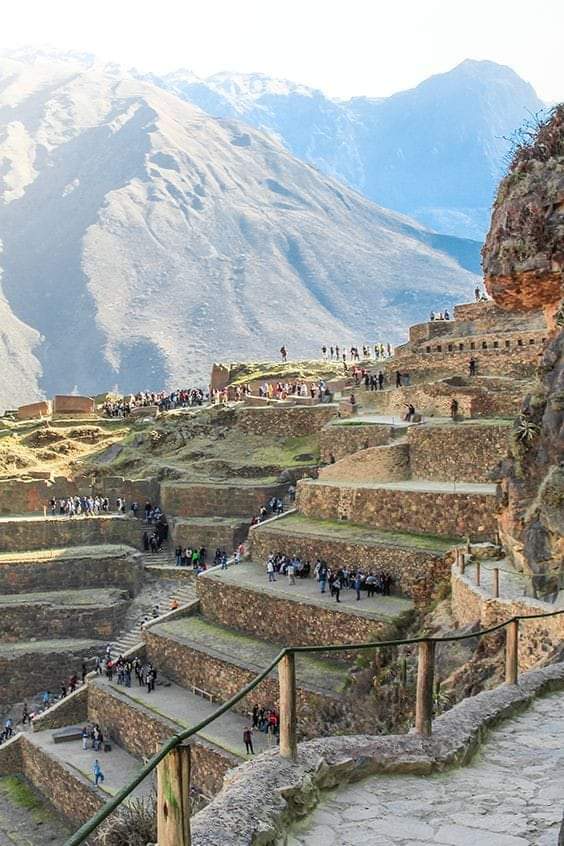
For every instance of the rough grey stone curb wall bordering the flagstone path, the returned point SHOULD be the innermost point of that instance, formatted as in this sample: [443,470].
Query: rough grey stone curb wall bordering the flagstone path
[245,814]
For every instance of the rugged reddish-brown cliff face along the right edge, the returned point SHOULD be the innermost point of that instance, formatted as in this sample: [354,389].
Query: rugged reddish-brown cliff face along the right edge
[523,260]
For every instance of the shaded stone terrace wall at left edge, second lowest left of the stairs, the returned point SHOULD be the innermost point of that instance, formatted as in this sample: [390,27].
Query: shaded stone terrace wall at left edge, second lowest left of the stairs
[46,619]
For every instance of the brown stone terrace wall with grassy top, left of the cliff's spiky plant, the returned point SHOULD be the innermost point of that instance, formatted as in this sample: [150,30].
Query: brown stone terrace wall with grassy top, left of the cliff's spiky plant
[456,453]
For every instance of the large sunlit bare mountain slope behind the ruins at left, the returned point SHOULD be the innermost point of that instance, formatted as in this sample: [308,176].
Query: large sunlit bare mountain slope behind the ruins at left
[143,239]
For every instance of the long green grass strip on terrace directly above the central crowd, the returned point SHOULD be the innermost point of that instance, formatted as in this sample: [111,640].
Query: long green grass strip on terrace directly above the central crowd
[349,532]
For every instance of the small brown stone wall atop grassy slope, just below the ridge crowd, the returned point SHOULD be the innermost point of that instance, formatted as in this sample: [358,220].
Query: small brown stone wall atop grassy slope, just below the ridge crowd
[285,421]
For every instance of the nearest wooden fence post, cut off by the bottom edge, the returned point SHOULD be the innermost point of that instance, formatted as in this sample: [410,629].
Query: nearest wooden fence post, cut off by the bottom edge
[173,798]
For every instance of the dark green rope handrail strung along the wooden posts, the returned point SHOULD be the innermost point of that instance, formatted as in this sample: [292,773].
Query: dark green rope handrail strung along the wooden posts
[90,825]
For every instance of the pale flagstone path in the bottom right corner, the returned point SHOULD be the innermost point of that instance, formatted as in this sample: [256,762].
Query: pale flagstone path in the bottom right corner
[511,794]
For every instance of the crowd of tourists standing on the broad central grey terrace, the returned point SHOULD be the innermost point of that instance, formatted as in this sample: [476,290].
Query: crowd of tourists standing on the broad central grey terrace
[332,579]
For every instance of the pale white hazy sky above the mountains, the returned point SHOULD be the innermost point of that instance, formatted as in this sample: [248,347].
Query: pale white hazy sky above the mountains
[344,47]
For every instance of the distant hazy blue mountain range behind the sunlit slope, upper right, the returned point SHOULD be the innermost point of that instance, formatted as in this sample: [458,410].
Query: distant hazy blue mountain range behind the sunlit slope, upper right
[435,152]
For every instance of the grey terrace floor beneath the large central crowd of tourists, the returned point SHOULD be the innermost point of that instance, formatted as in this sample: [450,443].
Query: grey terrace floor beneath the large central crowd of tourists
[253,577]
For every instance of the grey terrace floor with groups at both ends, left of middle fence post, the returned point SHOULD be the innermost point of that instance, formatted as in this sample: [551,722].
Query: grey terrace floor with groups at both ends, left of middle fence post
[187,709]
